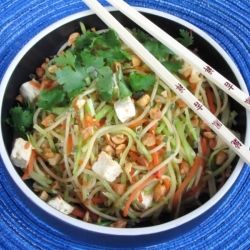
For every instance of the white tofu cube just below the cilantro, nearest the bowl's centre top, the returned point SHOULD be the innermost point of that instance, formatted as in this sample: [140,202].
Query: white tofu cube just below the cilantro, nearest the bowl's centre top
[125,109]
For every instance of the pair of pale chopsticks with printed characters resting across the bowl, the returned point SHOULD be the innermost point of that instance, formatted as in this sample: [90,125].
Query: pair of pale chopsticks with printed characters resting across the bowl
[225,134]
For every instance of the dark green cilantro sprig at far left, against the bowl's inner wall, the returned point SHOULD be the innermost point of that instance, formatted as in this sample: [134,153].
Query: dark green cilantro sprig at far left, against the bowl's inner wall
[20,119]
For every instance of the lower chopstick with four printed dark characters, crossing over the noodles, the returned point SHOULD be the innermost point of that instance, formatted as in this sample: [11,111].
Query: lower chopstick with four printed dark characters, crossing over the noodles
[222,131]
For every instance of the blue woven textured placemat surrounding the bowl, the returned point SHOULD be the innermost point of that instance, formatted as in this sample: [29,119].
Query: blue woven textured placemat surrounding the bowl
[228,22]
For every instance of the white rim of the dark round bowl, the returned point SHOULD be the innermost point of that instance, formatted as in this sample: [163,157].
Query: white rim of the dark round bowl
[97,228]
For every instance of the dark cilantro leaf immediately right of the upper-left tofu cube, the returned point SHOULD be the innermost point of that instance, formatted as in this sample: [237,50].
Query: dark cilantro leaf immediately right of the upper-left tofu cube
[52,98]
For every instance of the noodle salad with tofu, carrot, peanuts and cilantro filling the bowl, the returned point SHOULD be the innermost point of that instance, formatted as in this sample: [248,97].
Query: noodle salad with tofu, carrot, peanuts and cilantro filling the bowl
[107,142]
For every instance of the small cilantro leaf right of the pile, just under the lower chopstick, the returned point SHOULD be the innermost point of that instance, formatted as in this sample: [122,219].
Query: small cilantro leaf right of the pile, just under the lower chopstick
[141,82]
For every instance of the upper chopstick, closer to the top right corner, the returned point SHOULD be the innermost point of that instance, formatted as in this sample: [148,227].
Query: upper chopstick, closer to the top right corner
[205,69]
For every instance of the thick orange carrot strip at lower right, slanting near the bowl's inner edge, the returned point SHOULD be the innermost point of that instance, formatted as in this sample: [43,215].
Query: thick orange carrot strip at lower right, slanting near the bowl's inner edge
[178,194]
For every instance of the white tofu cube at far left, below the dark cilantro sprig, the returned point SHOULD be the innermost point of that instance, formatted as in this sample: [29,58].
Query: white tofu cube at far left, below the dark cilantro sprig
[21,153]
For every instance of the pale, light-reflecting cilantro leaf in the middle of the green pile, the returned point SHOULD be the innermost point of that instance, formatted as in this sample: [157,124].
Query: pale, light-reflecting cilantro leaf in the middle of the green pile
[73,81]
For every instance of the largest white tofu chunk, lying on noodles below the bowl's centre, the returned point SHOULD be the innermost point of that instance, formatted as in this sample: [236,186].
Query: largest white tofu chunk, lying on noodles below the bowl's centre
[106,167]
